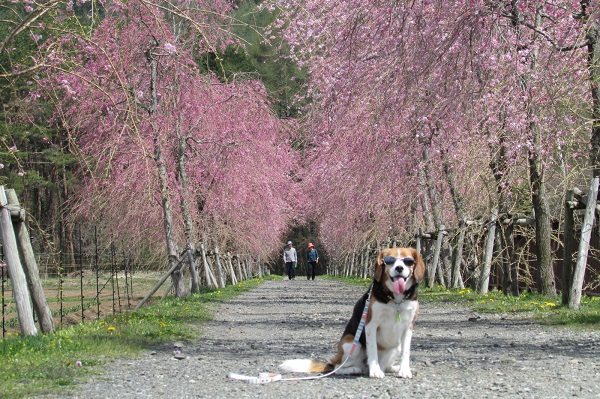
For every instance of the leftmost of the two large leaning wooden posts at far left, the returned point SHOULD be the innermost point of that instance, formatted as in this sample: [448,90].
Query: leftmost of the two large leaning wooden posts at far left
[15,269]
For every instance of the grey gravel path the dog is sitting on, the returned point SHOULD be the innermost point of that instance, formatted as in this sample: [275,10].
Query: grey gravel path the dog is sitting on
[452,356]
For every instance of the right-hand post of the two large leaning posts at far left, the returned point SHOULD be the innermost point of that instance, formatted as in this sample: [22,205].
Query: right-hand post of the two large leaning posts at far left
[40,304]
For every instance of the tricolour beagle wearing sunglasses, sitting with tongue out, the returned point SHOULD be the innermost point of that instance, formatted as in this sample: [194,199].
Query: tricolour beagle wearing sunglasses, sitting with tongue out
[389,324]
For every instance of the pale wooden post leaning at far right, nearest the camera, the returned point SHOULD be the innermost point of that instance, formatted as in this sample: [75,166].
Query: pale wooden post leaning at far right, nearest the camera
[584,244]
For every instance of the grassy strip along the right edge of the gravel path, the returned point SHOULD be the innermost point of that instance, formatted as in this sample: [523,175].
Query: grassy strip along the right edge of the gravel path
[544,310]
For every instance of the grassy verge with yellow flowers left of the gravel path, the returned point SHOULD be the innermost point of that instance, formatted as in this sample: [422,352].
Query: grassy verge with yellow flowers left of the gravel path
[45,363]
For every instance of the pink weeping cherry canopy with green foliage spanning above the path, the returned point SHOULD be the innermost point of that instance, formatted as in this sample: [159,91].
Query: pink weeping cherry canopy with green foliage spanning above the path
[370,118]
